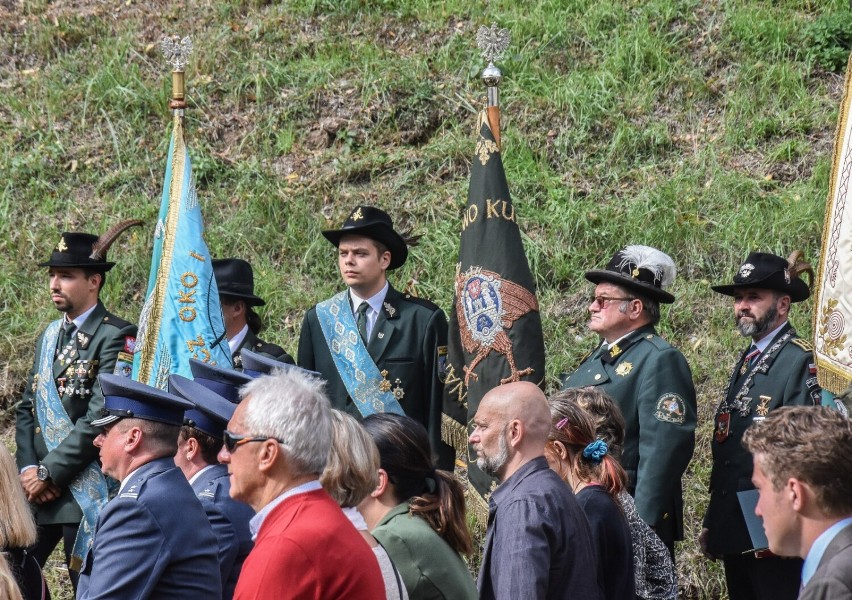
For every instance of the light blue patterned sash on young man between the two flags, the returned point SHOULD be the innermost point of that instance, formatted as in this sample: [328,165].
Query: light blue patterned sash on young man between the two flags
[354,364]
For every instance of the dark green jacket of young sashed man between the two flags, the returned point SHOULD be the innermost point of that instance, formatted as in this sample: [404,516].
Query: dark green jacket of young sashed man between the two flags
[404,342]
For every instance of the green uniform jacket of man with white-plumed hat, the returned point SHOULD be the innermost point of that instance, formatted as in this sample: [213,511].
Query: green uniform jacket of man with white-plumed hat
[651,383]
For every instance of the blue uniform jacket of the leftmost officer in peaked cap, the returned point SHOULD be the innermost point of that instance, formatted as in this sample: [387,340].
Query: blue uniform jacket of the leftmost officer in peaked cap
[152,541]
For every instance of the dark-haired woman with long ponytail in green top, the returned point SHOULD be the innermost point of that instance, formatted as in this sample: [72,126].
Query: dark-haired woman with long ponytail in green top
[416,512]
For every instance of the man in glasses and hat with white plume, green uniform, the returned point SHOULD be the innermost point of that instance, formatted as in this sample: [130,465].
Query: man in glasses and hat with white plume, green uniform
[648,379]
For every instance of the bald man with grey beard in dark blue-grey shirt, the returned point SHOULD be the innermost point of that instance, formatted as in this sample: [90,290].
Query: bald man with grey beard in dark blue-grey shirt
[538,543]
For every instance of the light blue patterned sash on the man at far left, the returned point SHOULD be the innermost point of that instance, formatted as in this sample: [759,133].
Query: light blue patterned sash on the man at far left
[89,488]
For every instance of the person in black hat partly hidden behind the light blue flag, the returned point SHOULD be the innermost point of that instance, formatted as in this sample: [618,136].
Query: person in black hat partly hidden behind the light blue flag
[235,280]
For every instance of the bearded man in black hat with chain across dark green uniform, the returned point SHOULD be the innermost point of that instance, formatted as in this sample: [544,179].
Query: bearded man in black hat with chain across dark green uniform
[777,369]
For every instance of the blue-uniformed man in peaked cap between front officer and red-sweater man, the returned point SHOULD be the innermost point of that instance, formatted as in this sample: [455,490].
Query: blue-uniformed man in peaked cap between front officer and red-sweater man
[198,444]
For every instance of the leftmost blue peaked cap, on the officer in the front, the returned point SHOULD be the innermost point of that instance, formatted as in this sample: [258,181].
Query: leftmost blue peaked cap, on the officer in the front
[126,398]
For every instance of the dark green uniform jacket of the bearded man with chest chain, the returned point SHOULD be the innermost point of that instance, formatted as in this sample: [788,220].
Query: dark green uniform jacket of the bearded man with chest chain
[789,380]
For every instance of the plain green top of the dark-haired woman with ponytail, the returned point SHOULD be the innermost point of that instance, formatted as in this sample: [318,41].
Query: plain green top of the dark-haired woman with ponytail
[429,568]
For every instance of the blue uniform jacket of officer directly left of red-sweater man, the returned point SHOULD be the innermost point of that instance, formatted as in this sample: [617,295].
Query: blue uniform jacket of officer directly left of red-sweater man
[230,521]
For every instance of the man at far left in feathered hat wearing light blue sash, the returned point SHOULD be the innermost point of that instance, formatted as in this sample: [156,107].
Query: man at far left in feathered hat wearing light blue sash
[53,430]
